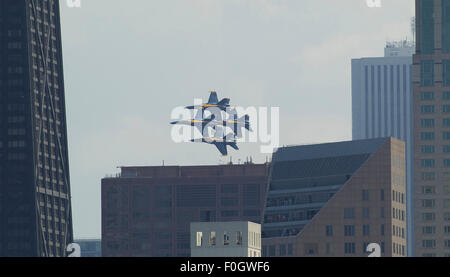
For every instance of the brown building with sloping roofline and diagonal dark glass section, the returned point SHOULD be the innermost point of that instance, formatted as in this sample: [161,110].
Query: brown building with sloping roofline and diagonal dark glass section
[334,200]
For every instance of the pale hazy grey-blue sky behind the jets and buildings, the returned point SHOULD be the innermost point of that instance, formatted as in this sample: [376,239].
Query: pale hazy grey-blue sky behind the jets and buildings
[128,63]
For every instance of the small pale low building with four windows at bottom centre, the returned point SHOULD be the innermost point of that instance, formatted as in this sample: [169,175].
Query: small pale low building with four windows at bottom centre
[225,239]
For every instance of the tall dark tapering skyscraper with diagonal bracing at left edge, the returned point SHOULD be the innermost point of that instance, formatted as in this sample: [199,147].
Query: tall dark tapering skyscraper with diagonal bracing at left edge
[35,209]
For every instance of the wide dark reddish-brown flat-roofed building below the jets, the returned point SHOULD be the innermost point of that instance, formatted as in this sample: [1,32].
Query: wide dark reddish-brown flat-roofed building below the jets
[147,211]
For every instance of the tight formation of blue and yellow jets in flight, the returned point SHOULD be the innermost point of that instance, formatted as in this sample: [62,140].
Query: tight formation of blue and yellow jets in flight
[222,118]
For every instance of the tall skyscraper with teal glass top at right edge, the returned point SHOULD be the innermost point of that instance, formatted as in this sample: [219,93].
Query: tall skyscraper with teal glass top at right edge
[431,85]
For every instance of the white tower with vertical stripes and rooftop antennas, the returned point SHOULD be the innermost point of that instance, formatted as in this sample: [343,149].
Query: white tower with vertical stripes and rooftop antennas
[382,107]
